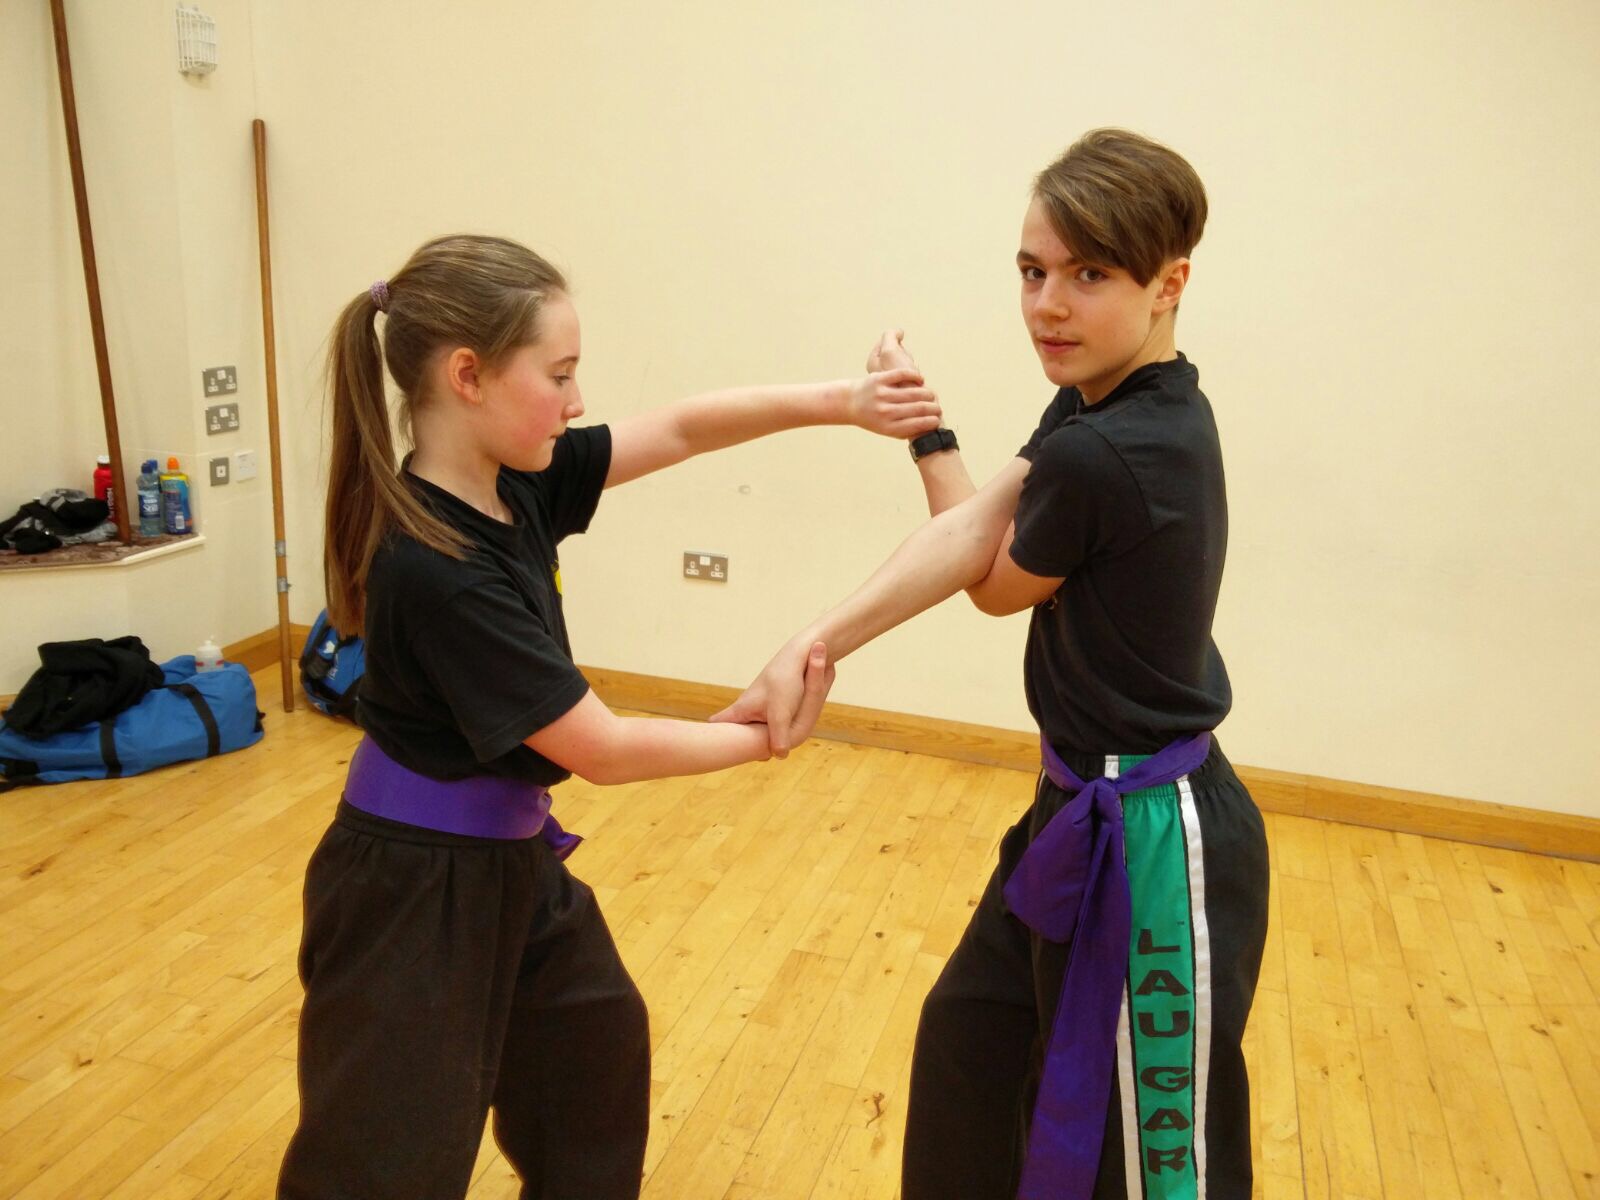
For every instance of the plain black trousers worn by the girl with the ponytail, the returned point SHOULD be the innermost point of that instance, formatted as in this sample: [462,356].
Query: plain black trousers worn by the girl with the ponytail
[449,977]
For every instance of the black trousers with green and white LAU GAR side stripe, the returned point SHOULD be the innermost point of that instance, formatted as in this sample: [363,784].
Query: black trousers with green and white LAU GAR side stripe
[988,1018]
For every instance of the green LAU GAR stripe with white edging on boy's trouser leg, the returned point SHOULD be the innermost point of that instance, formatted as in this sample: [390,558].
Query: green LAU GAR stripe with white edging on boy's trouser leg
[1162,993]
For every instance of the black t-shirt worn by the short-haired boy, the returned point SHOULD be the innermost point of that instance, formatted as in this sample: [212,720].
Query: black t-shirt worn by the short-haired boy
[1126,500]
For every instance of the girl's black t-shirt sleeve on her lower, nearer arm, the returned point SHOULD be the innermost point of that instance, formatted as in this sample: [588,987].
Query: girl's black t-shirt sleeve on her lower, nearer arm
[497,668]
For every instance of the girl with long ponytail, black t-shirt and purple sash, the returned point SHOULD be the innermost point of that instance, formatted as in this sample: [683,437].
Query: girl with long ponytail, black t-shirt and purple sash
[452,964]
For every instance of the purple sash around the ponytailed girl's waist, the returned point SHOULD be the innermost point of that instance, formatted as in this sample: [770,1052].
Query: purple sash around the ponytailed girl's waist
[482,806]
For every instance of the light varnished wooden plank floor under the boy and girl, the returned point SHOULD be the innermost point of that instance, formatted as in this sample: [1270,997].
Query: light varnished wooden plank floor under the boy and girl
[1426,1026]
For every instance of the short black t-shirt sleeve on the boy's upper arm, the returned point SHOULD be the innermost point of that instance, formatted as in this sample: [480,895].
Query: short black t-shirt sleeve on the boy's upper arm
[1078,500]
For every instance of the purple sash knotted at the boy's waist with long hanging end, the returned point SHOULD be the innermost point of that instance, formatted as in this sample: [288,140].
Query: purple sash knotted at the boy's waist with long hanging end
[1076,878]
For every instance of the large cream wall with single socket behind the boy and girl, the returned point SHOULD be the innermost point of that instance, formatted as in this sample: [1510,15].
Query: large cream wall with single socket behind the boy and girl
[1391,314]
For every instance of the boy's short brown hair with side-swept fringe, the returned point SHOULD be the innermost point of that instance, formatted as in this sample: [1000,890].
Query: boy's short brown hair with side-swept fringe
[1122,201]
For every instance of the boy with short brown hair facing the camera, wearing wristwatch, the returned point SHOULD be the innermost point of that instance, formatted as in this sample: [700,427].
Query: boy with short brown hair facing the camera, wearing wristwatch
[1084,1041]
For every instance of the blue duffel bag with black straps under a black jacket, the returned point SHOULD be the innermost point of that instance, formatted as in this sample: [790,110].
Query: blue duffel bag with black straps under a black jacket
[191,716]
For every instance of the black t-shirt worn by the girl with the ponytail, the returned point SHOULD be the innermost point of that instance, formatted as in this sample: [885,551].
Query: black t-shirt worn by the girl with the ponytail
[468,658]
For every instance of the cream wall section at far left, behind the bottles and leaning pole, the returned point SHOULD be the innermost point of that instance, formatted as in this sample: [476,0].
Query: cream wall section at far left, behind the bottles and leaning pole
[172,188]
